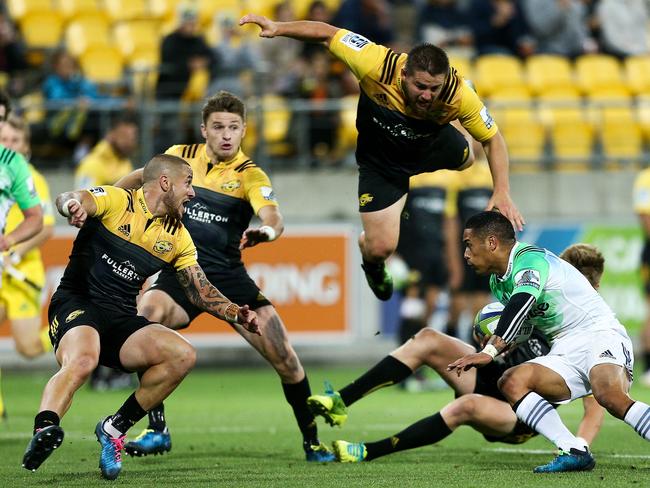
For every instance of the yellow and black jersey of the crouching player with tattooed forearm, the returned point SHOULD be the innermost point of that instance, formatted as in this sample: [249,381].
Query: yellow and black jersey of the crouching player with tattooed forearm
[121,246]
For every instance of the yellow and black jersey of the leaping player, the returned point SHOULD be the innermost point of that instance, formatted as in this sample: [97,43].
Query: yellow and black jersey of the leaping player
[389,133]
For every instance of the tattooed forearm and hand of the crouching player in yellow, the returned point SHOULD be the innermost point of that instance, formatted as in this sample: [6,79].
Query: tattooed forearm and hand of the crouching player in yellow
[207,297]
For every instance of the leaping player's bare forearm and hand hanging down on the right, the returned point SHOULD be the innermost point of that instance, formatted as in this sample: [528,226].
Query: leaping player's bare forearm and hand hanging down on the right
[497,156]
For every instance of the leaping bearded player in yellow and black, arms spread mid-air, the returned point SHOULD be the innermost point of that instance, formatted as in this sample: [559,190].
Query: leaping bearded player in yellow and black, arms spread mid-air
[410,109]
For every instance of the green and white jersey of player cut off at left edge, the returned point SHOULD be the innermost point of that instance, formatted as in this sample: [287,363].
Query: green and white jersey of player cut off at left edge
[16,184]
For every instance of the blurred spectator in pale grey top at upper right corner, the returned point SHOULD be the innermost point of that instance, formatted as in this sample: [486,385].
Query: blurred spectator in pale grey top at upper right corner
[623,27]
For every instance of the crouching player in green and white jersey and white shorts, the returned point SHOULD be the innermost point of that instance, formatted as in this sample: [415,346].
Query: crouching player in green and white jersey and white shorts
[590,350]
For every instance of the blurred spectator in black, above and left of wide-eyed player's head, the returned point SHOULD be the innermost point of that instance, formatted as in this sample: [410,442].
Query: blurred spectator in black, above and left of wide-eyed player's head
[183,53]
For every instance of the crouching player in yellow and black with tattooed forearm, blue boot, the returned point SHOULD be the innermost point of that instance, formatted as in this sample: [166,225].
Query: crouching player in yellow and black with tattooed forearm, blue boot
[125,237]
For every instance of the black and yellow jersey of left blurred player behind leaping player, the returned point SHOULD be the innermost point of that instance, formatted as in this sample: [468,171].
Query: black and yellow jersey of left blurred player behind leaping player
[429,202]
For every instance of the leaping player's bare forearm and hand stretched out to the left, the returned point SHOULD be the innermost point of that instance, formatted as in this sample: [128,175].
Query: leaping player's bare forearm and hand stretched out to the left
[303,30]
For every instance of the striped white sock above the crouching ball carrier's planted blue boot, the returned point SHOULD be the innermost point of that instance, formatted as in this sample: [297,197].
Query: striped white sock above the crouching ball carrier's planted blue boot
[540,416]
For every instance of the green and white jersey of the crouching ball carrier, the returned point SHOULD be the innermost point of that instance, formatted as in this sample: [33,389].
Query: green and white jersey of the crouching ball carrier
[565,301]
